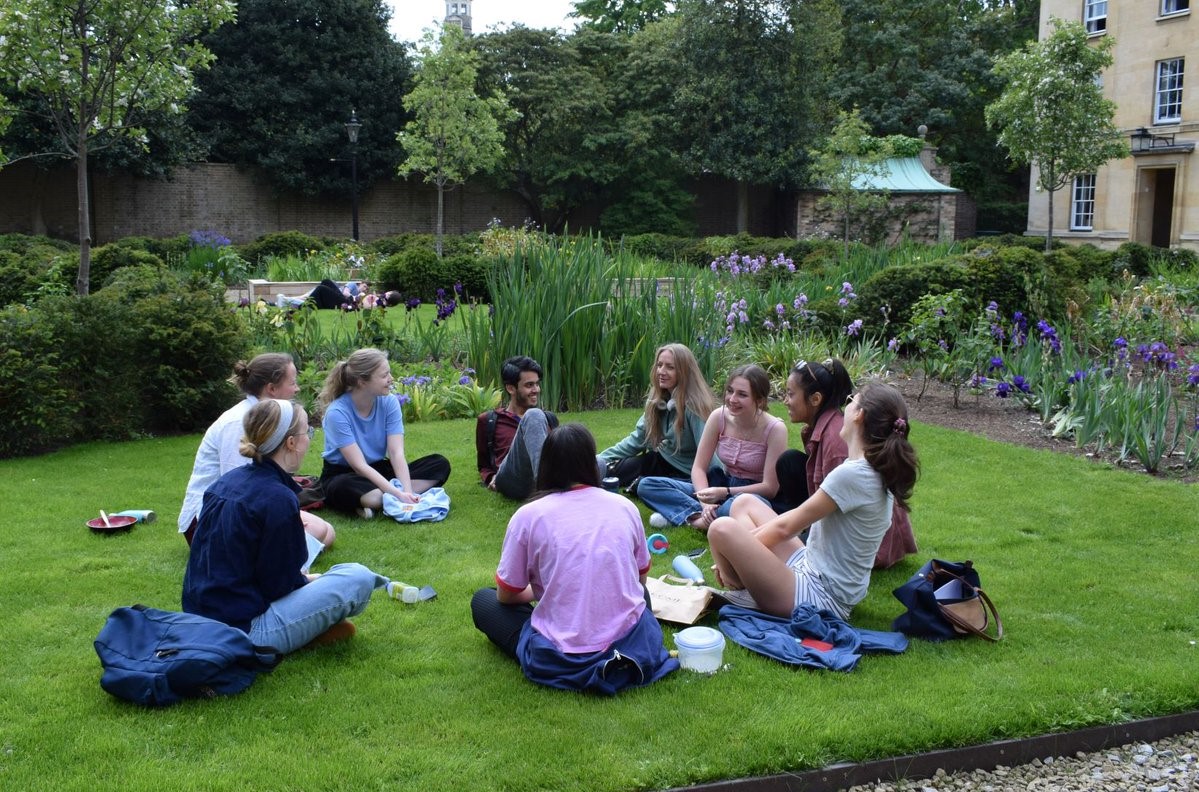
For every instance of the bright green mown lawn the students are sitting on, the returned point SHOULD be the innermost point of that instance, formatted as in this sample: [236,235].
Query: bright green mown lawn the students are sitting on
[1093,571]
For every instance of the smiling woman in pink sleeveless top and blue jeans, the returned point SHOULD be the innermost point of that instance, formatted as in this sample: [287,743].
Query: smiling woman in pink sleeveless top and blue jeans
[744,440]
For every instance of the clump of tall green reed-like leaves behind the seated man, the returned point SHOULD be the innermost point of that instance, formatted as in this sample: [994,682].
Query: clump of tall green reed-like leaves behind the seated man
[589,322]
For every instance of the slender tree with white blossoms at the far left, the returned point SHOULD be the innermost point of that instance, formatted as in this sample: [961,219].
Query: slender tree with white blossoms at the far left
[100,68]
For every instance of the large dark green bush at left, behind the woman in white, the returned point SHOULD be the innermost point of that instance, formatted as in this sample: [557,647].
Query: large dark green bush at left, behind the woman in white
[148,353]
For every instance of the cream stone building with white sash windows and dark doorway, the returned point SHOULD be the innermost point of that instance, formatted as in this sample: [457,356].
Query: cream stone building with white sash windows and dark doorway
[1152,197]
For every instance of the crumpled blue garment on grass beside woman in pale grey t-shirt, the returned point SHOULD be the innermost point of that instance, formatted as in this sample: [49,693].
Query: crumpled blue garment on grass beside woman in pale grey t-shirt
[781,638]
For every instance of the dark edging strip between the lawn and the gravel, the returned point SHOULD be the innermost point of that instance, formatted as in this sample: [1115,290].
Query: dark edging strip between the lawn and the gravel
[1009,753]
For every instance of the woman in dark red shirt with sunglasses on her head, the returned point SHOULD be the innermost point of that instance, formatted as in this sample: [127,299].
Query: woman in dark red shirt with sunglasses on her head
[816,394]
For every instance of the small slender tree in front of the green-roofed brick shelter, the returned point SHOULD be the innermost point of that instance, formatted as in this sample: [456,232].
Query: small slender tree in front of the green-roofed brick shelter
[848,159]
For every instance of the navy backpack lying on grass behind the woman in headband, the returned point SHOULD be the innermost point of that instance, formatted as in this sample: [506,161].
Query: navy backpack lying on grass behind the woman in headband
[159,658]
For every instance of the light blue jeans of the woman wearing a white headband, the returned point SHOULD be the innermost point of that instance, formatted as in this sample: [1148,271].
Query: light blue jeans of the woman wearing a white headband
[296,620]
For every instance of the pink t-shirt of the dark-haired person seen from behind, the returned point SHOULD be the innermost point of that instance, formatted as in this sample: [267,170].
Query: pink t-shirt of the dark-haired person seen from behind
[585,553]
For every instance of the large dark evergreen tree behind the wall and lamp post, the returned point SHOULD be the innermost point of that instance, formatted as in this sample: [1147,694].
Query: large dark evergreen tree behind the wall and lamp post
[288,76]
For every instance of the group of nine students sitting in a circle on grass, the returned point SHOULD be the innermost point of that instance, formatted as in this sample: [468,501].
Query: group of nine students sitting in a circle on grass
[786,528]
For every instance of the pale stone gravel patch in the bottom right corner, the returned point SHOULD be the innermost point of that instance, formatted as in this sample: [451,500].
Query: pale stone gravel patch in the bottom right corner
[1170,765]
